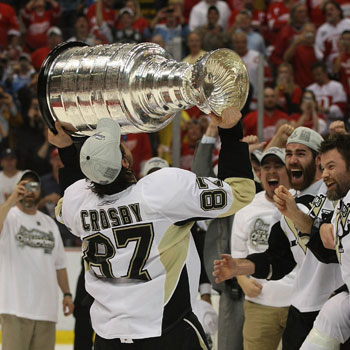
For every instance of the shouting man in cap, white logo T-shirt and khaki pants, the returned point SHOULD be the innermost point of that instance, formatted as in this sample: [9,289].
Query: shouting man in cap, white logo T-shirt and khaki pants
[266,303]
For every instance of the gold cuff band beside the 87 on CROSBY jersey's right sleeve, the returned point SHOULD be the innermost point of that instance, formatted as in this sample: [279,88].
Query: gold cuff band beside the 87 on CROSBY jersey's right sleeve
[243,191]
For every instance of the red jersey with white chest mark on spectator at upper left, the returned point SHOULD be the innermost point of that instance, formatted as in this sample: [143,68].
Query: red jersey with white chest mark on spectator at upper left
[37,25]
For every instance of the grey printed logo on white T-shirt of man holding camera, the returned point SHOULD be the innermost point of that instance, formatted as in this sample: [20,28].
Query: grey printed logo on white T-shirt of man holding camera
[35,239]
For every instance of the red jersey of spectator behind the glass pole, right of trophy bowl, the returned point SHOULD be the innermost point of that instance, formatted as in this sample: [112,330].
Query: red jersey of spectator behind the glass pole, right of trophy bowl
[250,122]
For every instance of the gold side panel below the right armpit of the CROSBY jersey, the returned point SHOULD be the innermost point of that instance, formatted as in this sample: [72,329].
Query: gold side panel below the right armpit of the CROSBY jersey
[173,249]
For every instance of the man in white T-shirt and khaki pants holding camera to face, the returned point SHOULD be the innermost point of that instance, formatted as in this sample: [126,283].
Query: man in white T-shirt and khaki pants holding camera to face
[32,262]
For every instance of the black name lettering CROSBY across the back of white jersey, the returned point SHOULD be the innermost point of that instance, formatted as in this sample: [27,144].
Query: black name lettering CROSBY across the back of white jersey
[101,219]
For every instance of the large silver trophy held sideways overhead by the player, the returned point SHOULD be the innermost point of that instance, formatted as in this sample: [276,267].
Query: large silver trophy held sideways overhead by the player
[138,85]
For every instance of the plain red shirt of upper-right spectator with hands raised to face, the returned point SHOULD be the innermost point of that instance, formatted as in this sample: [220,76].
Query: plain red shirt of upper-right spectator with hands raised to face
[303,59]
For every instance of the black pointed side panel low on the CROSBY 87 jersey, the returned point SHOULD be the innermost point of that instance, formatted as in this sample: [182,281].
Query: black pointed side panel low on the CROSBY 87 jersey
[179,304]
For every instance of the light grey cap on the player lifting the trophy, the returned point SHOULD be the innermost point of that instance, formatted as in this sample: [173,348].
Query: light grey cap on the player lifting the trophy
[100,155]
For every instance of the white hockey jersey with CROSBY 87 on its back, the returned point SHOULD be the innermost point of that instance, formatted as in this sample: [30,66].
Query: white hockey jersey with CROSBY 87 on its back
[141,261]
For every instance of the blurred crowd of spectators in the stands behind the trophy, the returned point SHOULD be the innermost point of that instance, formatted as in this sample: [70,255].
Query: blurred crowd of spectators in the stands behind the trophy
[304,45]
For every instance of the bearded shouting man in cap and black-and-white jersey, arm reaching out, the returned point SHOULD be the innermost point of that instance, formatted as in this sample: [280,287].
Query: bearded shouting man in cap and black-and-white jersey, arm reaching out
[314,281]
